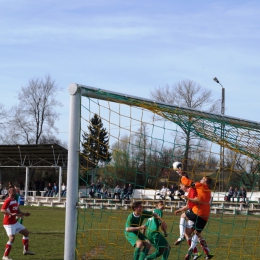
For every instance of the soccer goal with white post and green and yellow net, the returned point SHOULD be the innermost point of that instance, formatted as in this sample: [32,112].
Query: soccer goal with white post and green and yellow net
[121,140]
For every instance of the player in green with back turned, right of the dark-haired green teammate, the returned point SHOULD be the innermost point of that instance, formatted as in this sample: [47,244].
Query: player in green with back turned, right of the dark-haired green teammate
[154,235]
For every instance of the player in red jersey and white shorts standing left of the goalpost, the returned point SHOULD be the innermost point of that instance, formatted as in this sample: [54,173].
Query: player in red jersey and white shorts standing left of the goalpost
[11,210]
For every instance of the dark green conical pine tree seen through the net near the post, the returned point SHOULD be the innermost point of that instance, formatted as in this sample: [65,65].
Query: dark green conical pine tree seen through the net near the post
[96,143]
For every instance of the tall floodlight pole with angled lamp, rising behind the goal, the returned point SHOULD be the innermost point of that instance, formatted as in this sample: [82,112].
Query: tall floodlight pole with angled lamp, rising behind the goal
[222,148]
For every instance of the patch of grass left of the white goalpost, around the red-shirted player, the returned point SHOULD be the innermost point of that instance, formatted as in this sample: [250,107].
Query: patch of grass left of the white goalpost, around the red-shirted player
[46,239]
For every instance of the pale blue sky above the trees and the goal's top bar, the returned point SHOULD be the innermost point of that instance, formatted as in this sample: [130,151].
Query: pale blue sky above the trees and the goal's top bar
[132,47]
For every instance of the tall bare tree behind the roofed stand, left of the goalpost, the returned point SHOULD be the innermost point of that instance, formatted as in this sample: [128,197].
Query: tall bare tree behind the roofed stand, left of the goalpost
[35,114]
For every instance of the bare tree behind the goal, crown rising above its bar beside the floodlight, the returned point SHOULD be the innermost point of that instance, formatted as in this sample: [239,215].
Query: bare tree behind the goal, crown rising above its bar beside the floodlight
[187,93]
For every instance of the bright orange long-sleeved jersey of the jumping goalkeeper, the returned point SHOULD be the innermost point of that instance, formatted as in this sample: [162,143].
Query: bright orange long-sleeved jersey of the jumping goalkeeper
[202,208]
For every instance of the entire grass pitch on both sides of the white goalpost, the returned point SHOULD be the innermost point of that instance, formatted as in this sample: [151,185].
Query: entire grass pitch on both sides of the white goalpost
[100,235]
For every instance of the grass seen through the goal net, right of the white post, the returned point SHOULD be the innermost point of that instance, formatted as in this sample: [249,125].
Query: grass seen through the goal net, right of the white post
[228,236]
